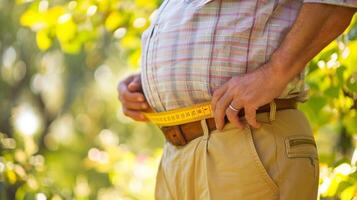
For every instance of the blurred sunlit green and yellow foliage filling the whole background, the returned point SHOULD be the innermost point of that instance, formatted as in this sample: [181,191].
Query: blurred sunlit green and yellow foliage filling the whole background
[62,132]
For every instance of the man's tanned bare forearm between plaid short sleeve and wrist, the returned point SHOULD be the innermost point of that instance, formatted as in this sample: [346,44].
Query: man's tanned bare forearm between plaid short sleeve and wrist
[315,27]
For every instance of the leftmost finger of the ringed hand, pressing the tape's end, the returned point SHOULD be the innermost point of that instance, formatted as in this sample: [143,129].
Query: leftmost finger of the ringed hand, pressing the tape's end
[220,110]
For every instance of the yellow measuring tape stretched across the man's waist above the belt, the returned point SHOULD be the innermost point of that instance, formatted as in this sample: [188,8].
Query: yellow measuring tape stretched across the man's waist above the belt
[181,115]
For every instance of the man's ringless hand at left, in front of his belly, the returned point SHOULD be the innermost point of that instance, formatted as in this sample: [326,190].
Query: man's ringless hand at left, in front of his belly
[132,98]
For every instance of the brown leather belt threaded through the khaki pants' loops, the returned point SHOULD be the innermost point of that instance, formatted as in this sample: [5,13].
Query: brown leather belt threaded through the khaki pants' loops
[180,135]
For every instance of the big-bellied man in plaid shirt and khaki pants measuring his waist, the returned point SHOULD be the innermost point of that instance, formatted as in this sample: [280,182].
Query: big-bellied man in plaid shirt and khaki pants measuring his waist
[241,56]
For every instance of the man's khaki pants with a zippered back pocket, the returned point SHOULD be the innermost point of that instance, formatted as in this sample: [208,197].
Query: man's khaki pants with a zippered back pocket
[277,161]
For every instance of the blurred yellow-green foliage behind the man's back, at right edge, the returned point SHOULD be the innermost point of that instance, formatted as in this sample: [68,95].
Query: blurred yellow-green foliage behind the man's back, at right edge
[332,112]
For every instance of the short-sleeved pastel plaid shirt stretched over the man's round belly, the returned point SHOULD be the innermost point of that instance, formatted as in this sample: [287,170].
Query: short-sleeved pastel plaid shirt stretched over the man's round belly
[194,46]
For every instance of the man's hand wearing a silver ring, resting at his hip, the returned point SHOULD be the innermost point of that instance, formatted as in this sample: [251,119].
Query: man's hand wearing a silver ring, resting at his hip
[248,92]
